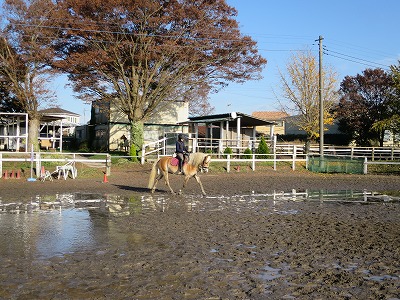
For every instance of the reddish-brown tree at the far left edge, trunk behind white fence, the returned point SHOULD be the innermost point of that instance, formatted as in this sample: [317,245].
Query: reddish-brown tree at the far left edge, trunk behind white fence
[24,55]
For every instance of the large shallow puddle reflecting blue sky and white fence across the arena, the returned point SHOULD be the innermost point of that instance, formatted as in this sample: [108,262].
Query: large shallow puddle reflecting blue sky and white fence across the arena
[64,223]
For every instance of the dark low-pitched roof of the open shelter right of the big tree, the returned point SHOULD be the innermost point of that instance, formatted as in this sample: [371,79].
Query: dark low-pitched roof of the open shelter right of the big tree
[246,120]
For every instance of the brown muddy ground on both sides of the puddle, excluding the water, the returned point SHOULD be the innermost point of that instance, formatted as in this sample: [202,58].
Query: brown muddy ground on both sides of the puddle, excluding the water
[285,250]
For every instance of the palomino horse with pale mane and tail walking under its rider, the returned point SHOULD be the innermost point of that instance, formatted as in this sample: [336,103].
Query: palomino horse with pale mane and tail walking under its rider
[197,161]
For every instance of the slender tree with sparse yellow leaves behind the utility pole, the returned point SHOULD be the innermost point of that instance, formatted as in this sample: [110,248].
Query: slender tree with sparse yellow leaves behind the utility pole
[300,85]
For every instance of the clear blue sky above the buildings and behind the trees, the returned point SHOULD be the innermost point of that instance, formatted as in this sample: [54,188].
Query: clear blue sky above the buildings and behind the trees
[364,33]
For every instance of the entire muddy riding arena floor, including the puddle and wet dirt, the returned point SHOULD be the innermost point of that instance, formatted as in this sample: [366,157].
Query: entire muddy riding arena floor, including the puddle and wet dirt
[256,235]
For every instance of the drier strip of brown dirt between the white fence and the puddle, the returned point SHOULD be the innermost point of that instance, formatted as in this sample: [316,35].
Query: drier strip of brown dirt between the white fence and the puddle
[134,179]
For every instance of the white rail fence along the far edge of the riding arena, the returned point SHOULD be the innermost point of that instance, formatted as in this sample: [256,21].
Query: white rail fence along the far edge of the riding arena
[292,154]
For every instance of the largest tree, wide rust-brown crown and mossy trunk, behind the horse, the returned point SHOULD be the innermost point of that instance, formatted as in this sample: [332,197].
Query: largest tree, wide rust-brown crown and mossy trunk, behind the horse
[136,54]
